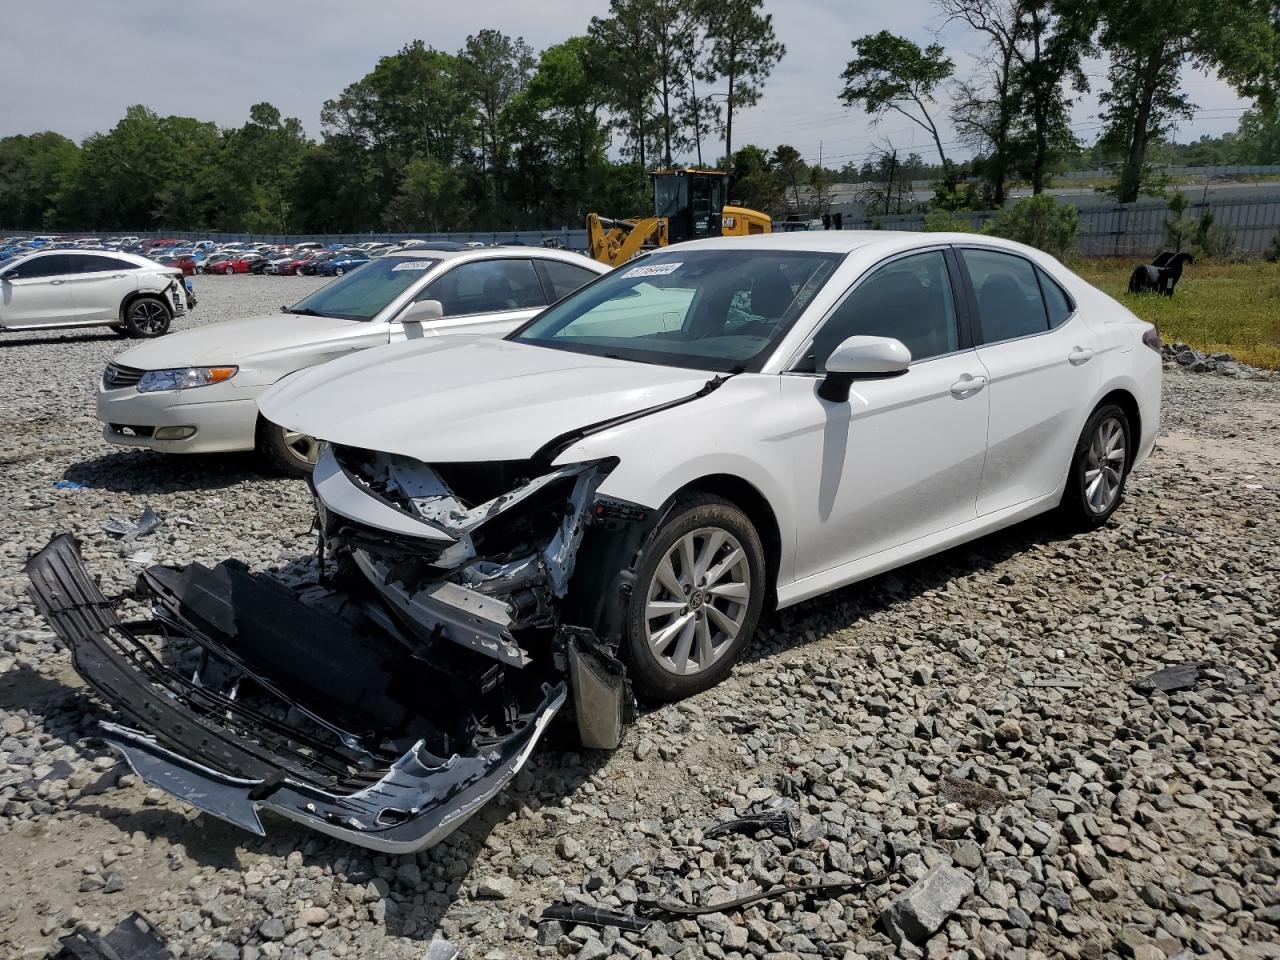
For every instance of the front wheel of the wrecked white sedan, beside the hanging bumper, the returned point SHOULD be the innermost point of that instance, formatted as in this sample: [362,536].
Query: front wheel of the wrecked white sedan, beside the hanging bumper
[700,589]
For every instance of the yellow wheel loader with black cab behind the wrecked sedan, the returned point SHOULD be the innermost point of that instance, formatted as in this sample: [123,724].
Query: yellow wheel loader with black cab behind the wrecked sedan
[688,205]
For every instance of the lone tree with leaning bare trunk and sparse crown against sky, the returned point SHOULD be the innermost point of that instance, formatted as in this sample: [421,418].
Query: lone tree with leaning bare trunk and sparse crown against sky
[893,74]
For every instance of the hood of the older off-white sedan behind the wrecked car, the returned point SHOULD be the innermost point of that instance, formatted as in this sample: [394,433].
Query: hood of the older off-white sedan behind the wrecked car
[235,341]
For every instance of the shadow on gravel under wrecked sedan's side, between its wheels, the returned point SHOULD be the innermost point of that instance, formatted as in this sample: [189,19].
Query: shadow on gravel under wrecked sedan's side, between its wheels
[787,630]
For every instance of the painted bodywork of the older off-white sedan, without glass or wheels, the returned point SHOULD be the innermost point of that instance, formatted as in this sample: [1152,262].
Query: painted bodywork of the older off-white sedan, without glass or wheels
[273,348]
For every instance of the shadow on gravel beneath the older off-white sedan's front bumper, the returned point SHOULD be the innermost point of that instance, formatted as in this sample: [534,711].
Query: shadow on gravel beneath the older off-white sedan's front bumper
[148,472]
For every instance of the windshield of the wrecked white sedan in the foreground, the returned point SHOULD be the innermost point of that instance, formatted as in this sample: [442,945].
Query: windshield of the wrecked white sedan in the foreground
[720,310]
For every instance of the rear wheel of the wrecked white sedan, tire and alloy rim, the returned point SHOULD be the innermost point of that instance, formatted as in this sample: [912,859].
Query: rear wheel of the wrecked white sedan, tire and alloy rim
[1100,469]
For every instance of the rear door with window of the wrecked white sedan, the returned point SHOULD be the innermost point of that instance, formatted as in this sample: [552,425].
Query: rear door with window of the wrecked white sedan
[1037,354]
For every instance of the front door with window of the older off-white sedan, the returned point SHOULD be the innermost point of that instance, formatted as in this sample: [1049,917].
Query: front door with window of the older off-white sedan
[490,298]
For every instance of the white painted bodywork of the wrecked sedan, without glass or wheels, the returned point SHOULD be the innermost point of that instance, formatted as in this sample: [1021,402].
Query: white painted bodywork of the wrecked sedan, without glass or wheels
[909,467]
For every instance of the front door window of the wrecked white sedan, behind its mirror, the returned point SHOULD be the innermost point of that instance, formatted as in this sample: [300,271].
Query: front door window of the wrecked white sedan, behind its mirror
[909,300]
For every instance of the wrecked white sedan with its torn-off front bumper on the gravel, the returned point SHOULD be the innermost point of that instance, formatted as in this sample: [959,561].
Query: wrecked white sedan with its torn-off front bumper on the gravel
[609,499]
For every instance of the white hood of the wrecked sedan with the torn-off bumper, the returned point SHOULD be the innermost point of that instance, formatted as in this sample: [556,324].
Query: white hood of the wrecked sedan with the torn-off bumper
[468,399]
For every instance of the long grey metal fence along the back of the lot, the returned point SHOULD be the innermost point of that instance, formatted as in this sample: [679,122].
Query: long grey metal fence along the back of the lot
[1121,230]
